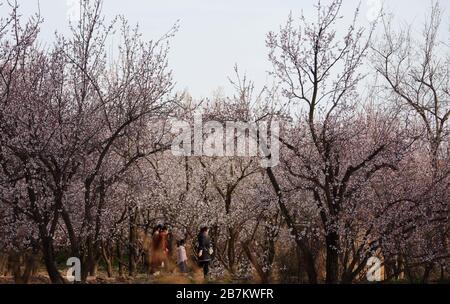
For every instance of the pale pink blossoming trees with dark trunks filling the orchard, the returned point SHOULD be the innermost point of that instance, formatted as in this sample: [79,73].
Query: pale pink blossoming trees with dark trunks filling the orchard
[86,168]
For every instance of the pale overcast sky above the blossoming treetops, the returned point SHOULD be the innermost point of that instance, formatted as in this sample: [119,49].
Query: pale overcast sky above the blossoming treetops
[215,35]
